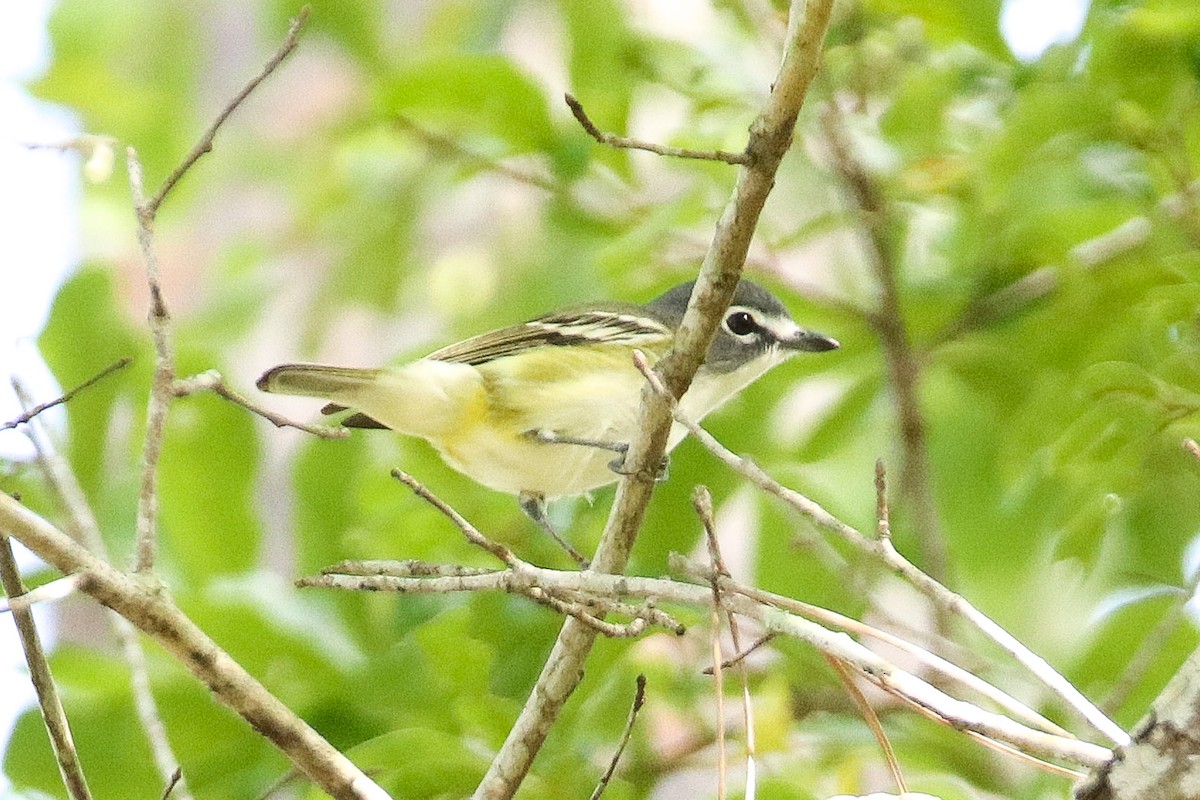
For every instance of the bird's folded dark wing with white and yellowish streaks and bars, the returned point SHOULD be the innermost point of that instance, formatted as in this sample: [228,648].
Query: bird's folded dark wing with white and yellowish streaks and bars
[625,326]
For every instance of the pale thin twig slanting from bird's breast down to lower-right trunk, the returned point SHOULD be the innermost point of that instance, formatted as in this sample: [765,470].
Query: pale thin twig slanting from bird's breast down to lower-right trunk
[884,551]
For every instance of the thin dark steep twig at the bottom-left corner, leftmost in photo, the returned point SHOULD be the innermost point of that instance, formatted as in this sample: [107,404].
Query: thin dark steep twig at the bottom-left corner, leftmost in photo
[53,715]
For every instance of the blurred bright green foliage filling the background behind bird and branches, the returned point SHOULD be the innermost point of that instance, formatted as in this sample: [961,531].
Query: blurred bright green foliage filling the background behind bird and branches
[1058,384]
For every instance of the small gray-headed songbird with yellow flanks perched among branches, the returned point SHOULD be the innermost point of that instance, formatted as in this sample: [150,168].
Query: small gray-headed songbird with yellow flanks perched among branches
[538,410]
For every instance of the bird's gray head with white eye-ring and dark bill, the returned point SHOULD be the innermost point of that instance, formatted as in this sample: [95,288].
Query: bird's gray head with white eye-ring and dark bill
[757,324]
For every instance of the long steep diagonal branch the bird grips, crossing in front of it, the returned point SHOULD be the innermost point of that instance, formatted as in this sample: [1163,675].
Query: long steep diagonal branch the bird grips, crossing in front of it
[771,136]
